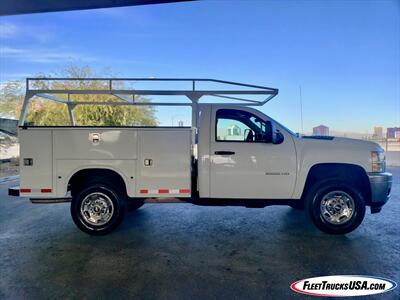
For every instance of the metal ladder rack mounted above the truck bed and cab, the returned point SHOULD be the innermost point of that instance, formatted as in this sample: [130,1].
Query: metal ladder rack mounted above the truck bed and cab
[230,90]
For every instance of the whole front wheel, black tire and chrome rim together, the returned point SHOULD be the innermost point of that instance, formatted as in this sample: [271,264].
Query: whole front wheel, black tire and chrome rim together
[335,207]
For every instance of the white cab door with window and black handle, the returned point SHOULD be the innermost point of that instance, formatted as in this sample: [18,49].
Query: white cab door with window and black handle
[244,162]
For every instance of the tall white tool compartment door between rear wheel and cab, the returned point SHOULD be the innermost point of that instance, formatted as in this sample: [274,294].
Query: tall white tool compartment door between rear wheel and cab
[164,165]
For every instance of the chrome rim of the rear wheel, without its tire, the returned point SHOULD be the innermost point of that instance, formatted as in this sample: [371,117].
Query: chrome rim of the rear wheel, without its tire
[97,209]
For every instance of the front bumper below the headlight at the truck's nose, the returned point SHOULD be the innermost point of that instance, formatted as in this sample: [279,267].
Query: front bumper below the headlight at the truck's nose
[381,186]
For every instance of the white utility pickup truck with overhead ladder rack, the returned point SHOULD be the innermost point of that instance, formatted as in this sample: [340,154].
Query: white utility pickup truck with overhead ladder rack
[232,155]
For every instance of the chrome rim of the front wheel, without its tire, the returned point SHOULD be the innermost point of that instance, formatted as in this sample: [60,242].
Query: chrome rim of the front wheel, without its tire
[337,207]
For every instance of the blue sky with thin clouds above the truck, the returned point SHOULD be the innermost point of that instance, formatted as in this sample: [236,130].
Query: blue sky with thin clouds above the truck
[344,54]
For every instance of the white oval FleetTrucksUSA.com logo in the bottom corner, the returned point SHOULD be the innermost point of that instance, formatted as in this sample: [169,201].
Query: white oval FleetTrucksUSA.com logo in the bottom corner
[343,286]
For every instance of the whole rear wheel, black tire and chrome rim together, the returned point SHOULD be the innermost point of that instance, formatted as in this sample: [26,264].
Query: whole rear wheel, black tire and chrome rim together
[97,209]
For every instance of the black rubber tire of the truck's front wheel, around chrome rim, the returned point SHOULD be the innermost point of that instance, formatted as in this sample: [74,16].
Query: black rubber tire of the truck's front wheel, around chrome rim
[316,195]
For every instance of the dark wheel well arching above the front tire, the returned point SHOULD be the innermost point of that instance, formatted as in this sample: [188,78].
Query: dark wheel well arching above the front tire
[353,174]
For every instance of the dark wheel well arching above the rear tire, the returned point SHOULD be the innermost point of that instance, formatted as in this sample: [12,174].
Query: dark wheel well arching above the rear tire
[87,176]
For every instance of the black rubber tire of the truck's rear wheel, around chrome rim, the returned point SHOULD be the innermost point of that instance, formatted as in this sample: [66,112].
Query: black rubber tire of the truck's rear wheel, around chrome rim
[115,211]
